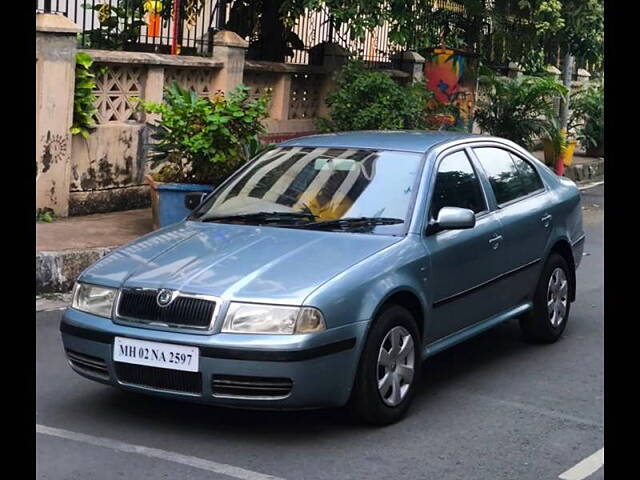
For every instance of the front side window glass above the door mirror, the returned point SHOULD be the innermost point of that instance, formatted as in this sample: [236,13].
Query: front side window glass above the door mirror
[457,185]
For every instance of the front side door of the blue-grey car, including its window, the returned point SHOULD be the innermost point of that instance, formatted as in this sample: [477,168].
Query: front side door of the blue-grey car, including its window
[464,263]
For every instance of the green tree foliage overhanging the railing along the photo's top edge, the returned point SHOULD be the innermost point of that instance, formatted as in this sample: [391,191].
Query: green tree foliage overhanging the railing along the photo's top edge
[529,32]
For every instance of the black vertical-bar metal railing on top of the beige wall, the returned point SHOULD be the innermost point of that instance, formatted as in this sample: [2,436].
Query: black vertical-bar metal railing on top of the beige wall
[129,25]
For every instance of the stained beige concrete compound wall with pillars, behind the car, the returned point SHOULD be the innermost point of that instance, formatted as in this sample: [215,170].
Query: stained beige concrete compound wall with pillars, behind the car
[106,172]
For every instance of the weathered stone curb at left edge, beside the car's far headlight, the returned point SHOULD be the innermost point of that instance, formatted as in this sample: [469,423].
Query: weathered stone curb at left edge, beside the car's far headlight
[57,271]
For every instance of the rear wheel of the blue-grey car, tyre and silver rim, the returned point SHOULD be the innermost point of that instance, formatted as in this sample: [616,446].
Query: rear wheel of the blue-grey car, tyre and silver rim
[551,303]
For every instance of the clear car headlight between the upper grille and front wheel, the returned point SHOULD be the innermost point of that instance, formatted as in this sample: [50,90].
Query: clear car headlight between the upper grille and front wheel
[255,318]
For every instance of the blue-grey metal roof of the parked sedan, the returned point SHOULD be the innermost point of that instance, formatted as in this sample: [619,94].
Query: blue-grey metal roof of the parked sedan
[404,140]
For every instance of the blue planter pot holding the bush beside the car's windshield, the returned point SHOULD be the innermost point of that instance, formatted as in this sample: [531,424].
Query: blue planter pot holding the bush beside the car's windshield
[167,201]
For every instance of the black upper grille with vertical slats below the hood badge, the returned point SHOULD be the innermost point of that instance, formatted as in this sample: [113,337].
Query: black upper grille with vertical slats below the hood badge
[141,305]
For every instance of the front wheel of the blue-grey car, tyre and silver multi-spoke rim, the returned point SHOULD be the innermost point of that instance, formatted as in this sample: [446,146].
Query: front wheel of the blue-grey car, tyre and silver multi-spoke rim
[389,368]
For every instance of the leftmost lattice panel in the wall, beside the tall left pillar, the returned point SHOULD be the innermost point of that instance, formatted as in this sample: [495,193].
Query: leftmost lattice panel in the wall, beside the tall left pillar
[115,89]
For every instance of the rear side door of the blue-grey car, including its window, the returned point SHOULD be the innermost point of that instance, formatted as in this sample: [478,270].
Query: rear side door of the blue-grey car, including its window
[524,208]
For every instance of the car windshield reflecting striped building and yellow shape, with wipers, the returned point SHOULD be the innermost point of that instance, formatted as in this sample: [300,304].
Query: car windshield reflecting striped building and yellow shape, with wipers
[340,189]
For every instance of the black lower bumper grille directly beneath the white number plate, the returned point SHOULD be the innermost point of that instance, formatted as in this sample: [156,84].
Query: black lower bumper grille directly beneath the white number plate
[159,378]
